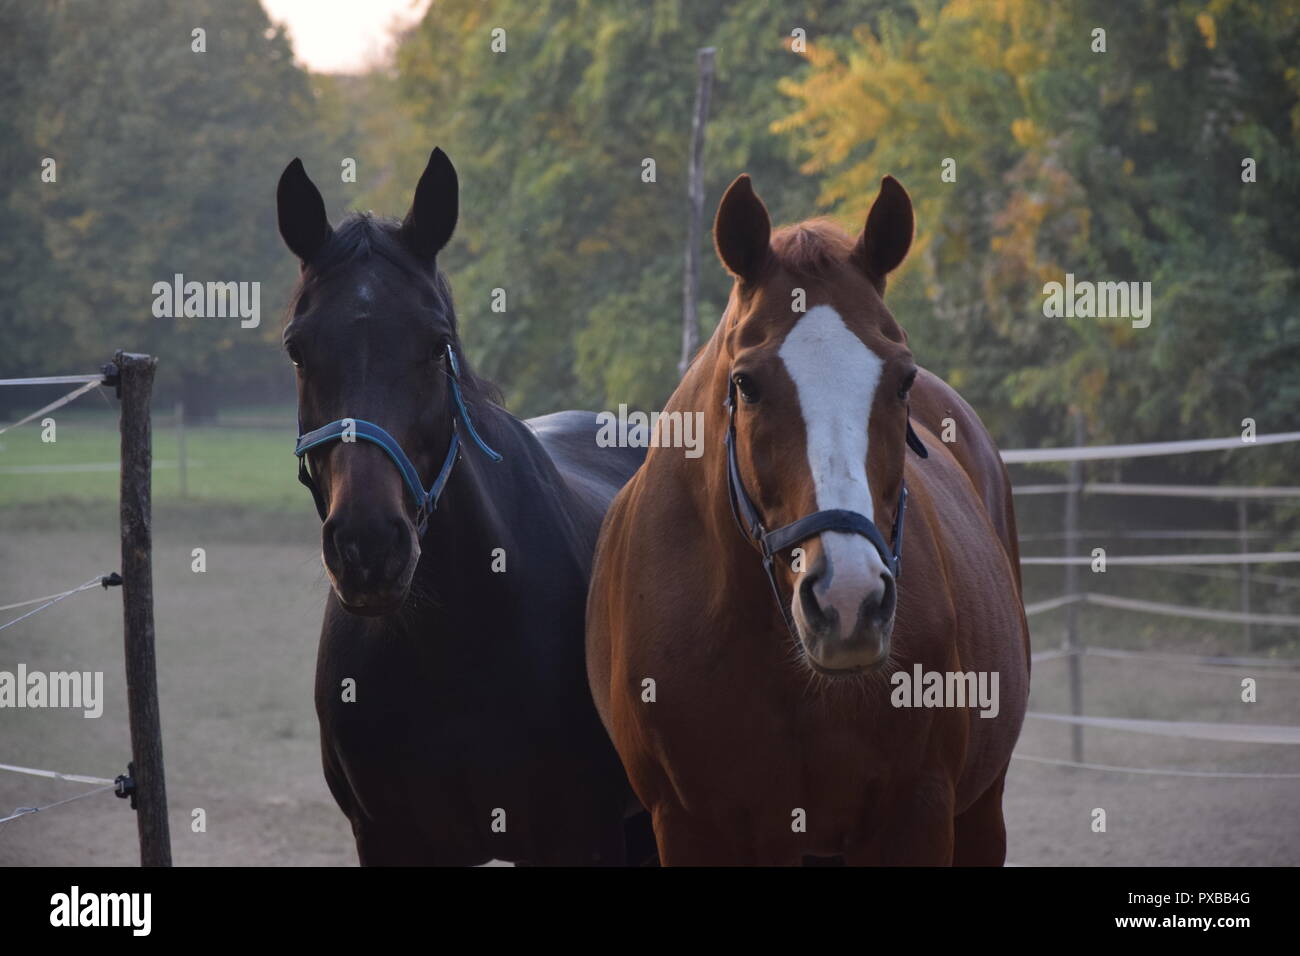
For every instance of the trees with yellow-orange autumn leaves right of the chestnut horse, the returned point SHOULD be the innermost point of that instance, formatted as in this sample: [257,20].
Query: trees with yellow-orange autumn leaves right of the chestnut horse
[1119,166]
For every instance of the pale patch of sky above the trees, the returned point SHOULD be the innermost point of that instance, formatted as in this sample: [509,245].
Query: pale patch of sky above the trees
[343,36]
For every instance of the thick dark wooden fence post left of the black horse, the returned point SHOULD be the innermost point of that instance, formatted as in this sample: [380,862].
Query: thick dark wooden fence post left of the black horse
[142,693]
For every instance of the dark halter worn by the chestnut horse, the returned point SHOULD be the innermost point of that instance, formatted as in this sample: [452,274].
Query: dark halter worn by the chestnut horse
[770,543]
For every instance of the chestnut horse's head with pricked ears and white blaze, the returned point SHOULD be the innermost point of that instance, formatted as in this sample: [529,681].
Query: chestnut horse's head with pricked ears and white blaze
[820,373]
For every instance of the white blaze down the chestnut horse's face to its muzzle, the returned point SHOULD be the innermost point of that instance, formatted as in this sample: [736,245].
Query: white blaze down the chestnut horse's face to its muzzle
[837,378]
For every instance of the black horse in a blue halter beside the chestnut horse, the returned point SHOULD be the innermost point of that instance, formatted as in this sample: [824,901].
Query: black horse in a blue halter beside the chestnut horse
[457,724]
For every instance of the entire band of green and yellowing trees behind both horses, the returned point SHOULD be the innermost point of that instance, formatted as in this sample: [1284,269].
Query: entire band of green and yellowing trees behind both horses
[1120,166]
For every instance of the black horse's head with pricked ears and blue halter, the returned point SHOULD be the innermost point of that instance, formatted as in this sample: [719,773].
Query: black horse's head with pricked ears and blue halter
[369,334]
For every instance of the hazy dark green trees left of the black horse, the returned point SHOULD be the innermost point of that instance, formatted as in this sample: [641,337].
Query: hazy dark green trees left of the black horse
[167,163]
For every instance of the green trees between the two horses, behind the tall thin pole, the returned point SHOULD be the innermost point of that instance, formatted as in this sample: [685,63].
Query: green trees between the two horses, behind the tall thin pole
[549,140]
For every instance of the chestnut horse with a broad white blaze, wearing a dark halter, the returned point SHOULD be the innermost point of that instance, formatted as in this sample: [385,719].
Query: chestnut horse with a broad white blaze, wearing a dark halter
[870,711]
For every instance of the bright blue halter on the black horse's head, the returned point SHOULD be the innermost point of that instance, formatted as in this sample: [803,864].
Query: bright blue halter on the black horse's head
[352,430]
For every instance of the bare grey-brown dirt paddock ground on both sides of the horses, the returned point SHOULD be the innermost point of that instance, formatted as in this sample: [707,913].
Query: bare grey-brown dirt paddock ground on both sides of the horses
[237,650]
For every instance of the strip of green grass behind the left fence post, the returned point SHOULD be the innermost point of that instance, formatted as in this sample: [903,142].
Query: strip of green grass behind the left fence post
[242,465]
